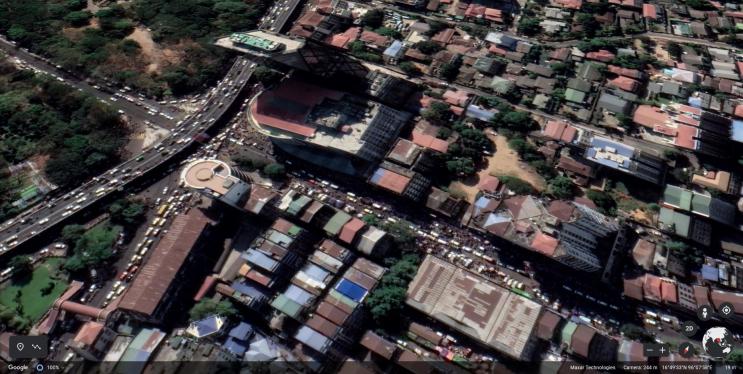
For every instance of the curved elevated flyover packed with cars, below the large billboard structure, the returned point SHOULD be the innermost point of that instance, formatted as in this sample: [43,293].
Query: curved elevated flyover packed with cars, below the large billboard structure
[15,232]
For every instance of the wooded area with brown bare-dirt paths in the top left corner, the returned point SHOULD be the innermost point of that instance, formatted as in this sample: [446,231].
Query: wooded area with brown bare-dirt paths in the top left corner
[185,26]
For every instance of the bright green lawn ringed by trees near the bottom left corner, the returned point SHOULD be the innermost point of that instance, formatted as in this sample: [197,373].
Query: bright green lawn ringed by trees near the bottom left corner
[34,303]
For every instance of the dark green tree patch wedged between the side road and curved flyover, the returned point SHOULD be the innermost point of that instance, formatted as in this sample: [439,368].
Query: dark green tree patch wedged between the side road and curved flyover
[39,116]
